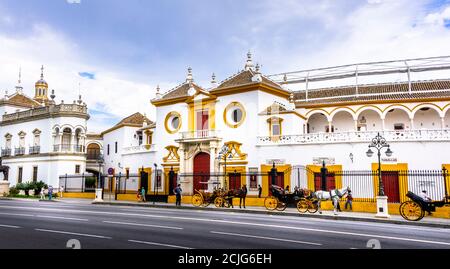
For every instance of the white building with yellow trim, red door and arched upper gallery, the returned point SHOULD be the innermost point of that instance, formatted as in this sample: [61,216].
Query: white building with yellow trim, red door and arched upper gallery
[263,122]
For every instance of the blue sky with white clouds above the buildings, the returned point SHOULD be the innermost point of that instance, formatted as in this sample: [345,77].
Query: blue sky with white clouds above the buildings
[115,53]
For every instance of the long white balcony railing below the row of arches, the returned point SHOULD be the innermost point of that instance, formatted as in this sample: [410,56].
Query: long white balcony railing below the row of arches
[355,137]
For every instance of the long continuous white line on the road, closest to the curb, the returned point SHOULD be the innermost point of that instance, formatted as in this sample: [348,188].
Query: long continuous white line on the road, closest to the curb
[241,223]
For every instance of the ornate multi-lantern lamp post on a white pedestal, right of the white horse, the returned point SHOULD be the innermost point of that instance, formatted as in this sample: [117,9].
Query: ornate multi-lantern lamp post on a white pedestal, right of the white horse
[379,143]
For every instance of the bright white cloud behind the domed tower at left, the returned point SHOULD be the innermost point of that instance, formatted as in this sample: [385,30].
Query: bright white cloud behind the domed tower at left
[109,92]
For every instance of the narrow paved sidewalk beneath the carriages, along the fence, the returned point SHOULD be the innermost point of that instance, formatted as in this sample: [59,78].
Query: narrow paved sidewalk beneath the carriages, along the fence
[351,216]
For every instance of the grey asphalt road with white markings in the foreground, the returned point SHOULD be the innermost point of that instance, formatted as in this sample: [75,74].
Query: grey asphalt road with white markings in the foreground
[44,225]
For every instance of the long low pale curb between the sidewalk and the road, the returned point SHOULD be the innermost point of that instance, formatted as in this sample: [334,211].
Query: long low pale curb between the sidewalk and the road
[318,216]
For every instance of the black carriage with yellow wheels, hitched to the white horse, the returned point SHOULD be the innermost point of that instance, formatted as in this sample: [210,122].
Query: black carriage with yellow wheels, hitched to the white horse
[280,199]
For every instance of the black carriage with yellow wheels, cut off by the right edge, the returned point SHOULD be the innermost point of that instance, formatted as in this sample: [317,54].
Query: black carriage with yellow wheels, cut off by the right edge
[415,209]
